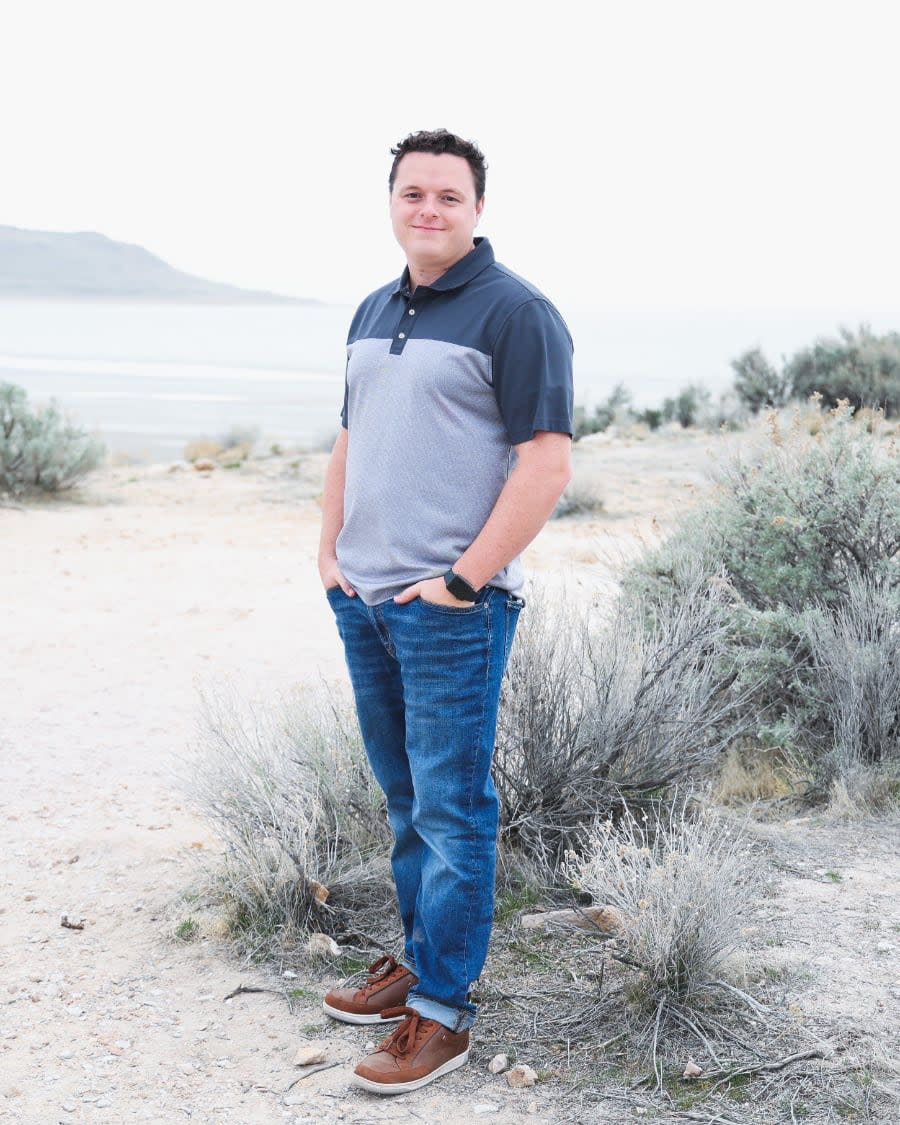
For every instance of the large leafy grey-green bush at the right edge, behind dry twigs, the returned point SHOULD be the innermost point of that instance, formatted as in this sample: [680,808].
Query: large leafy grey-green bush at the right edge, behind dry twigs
[795,530]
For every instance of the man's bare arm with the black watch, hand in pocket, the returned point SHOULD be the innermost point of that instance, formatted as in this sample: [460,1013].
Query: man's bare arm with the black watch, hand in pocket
[523,509]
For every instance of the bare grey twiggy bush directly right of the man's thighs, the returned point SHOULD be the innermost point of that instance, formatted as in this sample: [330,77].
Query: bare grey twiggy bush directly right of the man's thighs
[601,703]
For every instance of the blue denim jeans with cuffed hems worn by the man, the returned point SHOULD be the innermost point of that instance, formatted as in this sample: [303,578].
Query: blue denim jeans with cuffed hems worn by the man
[427,682]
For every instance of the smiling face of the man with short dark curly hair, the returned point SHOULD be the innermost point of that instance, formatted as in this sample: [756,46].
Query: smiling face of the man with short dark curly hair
[434,210]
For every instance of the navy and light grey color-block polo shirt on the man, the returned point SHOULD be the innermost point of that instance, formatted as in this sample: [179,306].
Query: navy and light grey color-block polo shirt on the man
[442,384]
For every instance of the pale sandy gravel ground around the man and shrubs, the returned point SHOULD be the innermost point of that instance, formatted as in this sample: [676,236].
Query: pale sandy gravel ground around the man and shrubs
[119,606]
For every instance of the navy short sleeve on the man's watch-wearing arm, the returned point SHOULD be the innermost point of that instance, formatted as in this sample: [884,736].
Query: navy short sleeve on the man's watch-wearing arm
[533,372]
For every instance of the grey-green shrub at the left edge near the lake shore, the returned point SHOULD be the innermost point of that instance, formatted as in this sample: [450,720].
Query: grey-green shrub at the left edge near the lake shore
[41,449]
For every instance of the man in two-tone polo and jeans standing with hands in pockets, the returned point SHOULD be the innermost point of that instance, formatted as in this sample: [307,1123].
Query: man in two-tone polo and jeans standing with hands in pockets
[454,451]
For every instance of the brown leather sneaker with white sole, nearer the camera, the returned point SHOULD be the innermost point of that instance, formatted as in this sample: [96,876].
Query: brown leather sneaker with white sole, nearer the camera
[415,1055]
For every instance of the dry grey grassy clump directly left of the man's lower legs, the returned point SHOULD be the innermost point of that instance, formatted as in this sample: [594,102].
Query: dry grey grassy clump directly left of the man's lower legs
[305,836]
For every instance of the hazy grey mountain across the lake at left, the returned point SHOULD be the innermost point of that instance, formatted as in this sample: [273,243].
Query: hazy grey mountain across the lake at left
[48,264]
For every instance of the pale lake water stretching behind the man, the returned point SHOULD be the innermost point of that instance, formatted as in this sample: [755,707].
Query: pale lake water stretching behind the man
[150,379]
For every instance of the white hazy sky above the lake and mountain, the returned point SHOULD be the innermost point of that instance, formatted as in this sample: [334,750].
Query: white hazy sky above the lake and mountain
[645,155]
